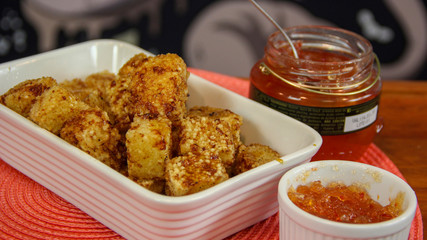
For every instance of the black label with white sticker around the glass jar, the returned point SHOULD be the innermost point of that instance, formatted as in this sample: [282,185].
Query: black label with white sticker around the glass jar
[326,121]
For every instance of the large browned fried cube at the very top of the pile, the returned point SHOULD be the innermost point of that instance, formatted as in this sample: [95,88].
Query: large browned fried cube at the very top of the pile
[154,85]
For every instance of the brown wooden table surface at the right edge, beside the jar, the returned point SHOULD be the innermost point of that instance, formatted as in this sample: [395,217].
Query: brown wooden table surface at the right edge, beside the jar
[403,139]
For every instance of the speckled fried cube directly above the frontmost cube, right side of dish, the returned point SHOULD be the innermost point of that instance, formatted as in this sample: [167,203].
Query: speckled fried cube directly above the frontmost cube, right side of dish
[200,134]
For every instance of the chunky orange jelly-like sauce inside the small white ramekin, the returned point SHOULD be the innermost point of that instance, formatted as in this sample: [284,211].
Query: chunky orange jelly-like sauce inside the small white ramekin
[340,203]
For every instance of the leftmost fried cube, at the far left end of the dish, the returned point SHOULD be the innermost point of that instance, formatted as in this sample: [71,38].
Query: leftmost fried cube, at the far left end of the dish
[22,96]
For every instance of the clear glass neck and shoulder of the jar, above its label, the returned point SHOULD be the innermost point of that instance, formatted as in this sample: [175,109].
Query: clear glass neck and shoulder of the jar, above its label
[348,66]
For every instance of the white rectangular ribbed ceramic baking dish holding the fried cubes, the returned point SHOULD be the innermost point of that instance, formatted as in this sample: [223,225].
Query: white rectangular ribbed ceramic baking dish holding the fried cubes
[119,203]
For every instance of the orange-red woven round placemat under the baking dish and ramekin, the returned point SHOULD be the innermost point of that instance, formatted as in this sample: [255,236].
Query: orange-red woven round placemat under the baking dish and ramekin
[30,211]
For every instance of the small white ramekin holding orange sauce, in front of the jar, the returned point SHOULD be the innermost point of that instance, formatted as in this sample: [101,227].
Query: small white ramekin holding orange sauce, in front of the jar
[296,224]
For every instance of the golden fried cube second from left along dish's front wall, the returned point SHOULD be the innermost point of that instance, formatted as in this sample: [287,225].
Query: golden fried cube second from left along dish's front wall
[54,107]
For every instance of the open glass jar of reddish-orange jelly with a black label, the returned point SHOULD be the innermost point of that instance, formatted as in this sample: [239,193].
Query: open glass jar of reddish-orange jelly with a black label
[333,86]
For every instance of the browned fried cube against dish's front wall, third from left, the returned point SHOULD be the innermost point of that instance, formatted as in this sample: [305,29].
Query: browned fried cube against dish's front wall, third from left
[92,132]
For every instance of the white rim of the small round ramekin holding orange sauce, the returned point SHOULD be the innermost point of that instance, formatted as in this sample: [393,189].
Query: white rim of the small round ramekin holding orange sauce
[318,224]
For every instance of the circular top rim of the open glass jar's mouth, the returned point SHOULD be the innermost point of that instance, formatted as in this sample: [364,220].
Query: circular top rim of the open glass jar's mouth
[334,39]
